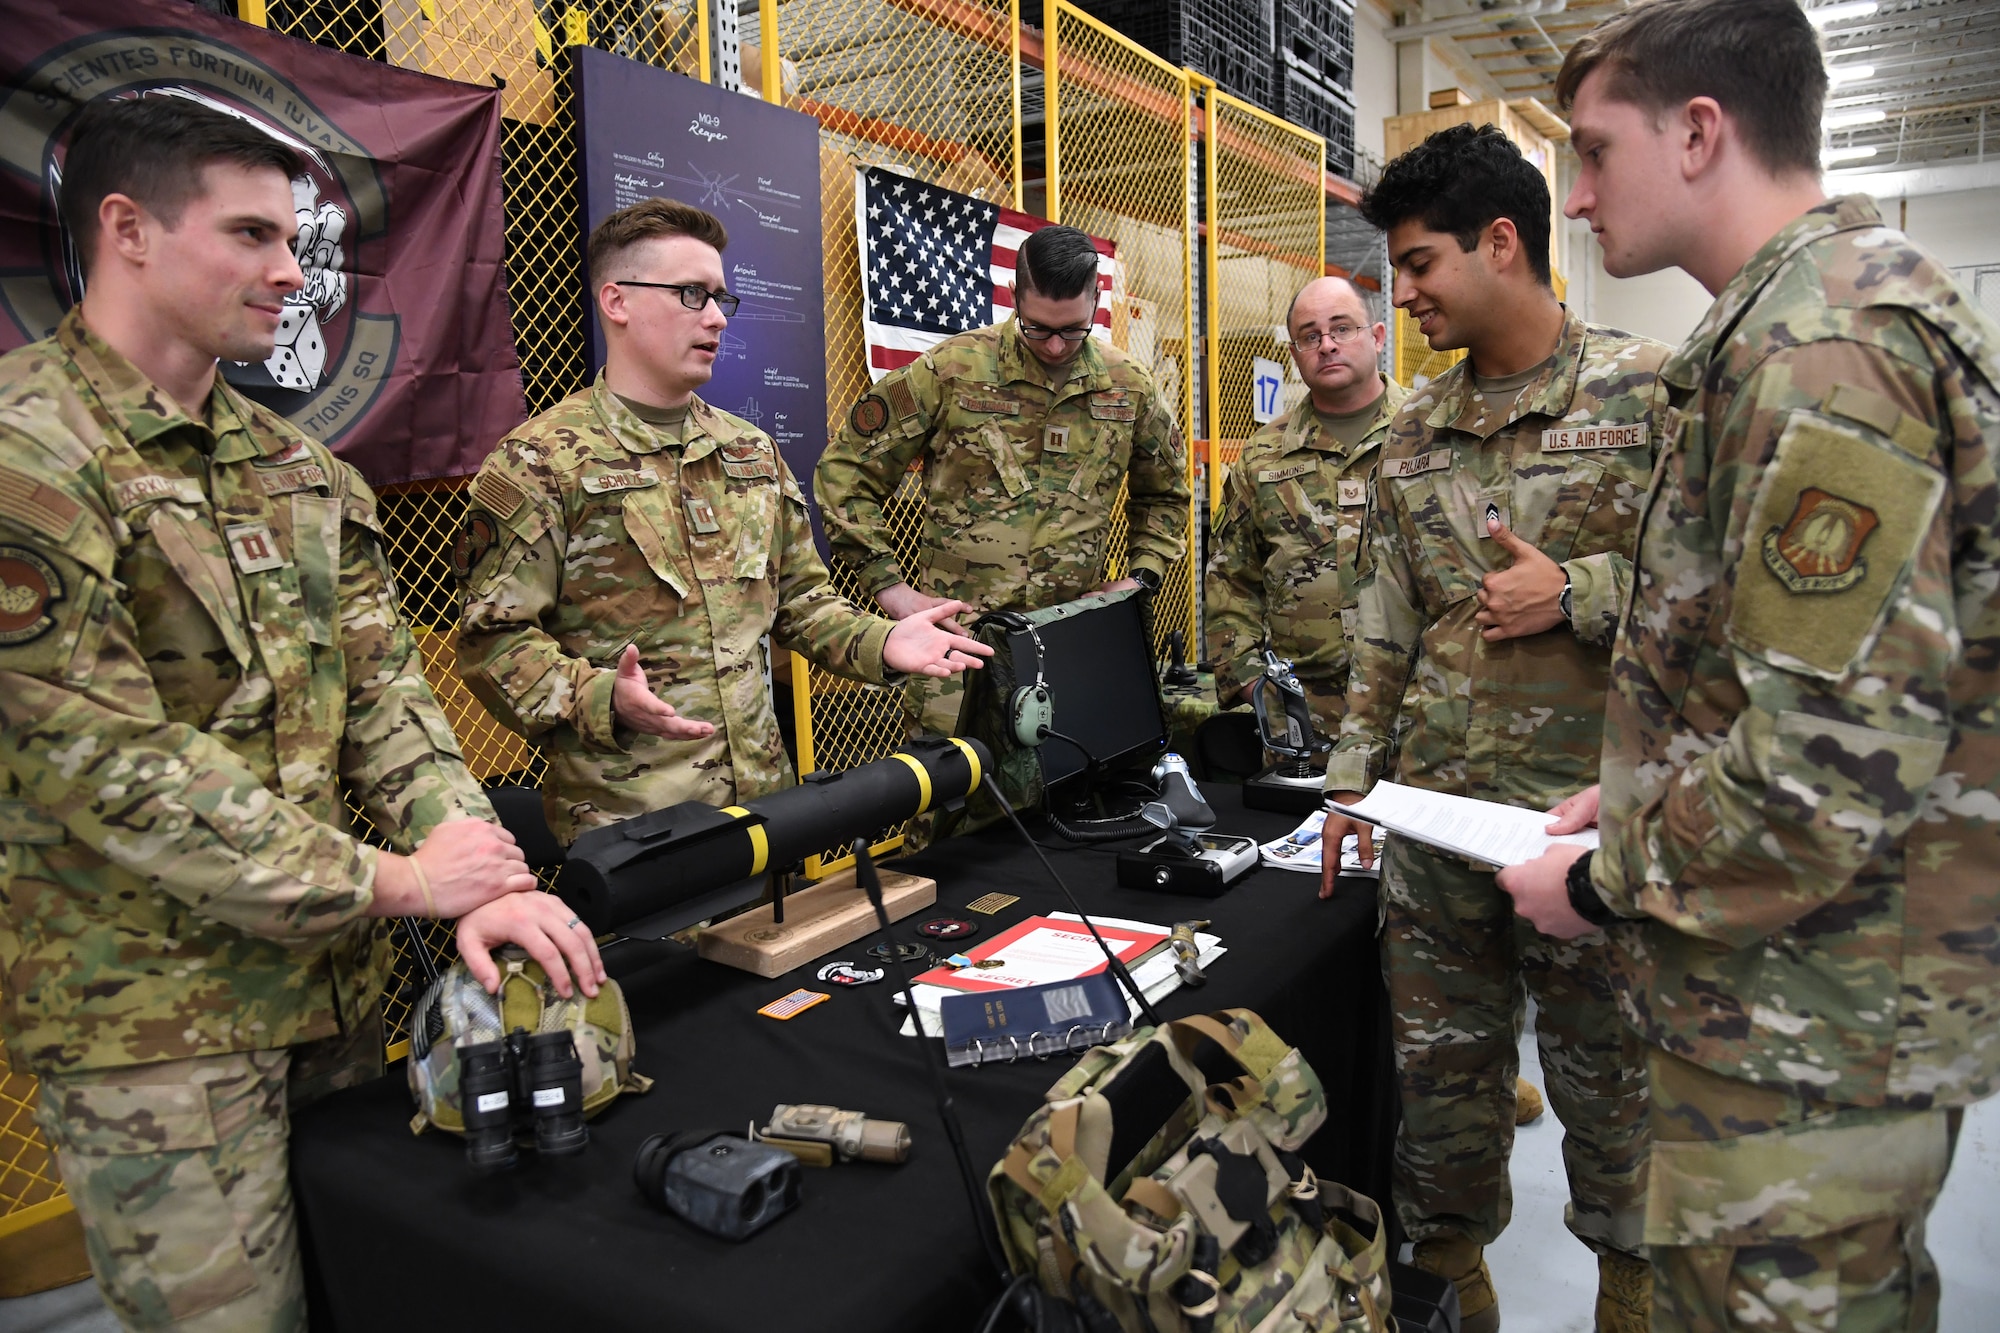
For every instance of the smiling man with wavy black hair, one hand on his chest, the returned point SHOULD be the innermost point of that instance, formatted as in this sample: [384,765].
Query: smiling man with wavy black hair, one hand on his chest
[1469,491]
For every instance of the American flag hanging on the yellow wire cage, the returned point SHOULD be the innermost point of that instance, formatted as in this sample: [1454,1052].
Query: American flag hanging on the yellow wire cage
[937,263]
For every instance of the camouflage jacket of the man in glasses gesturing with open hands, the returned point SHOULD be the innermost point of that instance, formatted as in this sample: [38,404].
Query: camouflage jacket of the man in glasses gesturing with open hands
[591,531]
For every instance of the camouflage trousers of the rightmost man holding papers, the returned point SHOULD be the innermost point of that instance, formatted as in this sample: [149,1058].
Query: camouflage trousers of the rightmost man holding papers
[1781,1214]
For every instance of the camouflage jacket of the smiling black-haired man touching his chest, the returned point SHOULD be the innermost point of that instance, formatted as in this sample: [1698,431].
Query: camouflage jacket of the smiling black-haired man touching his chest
[1565,465]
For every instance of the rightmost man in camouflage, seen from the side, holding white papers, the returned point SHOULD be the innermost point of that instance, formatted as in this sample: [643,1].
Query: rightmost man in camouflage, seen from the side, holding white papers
[1801,804]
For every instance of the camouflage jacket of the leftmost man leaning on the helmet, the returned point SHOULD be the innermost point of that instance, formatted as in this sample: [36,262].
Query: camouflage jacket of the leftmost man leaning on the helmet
[199,649]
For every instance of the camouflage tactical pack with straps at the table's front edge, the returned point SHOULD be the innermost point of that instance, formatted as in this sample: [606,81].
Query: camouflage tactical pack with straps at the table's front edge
[1207,1220]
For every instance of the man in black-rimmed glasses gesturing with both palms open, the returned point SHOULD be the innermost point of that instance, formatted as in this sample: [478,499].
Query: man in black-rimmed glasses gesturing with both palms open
[629,551]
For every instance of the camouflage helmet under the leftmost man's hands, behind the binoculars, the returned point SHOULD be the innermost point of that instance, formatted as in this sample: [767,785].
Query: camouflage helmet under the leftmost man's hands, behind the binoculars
[457,1012]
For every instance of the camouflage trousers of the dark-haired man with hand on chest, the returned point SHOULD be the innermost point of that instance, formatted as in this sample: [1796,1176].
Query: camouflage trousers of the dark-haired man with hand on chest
[1459,970]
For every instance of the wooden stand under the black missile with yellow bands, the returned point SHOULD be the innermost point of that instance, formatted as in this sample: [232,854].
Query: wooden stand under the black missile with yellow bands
[799,928]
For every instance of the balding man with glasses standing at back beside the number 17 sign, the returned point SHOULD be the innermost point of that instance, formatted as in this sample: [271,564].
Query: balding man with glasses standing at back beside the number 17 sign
[1289,535]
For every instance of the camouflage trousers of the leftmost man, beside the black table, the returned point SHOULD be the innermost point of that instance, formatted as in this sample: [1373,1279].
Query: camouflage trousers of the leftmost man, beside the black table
[179,1176]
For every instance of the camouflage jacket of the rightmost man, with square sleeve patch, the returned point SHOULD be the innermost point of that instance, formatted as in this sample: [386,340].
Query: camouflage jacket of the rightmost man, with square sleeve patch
[1803,748]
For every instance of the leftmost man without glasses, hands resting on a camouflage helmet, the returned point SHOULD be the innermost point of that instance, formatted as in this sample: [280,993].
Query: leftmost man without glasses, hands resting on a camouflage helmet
[201,657]
